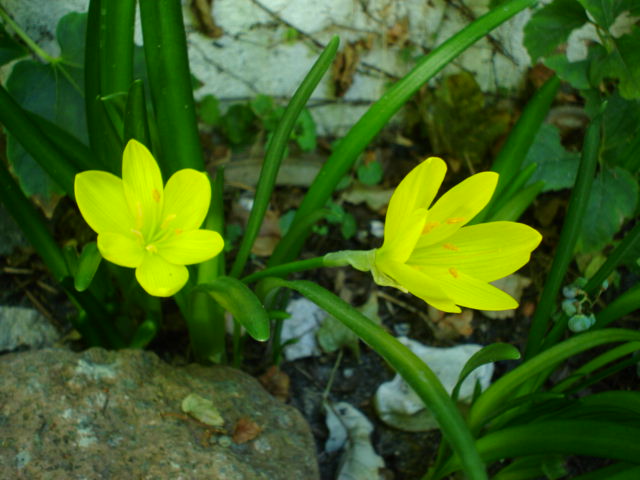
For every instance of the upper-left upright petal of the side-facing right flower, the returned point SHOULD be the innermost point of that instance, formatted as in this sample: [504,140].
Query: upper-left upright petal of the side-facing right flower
[416,190]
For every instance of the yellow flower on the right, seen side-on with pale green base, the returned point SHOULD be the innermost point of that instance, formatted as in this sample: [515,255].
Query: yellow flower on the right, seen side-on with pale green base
[429,252]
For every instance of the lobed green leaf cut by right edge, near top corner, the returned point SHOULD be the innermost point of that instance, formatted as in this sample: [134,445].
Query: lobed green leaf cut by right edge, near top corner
[621,62]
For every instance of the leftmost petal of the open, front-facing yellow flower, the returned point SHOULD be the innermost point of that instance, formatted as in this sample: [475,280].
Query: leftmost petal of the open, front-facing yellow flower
[101,201]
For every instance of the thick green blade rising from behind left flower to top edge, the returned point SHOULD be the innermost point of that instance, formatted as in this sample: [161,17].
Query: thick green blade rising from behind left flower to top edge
[165,50]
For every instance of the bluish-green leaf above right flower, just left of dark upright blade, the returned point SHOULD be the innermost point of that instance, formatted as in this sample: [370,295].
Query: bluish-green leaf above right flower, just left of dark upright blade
[557,168]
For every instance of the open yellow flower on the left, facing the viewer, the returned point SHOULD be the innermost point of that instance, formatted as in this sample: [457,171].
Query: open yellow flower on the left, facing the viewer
[143,225]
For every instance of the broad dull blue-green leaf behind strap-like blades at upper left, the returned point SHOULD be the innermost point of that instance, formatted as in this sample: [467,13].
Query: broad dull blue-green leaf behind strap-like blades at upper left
[54,92]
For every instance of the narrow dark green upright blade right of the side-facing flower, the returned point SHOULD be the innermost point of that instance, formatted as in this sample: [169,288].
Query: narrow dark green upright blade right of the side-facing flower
[568,237]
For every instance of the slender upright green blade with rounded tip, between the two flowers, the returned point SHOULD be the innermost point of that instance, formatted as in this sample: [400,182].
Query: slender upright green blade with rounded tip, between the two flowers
[275,153]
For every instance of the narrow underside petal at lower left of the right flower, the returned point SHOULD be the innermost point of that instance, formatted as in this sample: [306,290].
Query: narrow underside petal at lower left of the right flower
[420,285]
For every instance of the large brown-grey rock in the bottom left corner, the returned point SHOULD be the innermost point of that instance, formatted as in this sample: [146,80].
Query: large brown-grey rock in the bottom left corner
[116,415]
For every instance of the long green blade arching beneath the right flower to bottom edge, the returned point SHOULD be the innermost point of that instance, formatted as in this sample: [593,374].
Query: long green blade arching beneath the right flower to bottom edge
[414,371]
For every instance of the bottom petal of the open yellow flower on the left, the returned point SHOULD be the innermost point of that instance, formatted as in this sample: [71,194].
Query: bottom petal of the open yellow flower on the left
[159,277]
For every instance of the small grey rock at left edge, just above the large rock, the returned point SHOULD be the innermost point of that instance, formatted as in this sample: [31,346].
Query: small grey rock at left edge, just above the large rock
[22,328]
